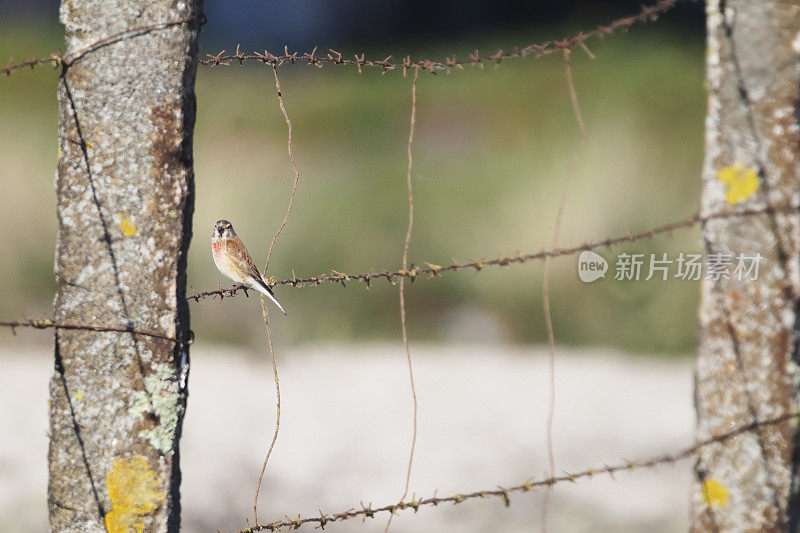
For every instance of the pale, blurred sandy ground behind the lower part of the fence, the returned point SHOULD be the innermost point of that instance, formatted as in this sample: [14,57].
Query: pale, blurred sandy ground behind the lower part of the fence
[346,429]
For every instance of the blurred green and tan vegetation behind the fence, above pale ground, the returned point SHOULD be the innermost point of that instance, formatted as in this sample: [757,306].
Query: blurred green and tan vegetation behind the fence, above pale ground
[491,153]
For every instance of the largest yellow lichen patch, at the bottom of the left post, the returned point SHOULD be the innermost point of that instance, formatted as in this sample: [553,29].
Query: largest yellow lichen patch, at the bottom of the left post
[133,489]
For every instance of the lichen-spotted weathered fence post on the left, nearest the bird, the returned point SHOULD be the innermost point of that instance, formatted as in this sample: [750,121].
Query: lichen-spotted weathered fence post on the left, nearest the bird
[125,201]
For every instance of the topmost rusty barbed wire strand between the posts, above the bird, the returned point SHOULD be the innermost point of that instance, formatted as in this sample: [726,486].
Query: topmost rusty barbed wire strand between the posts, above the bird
[646,14]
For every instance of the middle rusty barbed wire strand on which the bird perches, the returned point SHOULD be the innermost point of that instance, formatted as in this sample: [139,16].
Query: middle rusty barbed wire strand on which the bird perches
[432,270]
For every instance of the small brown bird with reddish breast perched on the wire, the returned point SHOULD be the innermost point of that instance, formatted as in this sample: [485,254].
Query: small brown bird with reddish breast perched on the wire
[232,259]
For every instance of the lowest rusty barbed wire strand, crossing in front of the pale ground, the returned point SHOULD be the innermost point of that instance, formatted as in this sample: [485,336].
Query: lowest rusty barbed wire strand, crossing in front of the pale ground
[505,492]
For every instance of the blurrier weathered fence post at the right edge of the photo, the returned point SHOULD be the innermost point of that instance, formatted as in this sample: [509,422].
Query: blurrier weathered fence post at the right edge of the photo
[747,364]
